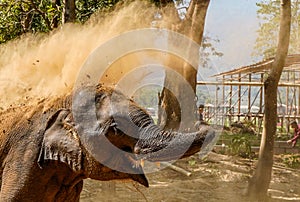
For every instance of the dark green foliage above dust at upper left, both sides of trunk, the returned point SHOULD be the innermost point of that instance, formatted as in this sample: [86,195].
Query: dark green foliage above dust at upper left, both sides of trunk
[19,17]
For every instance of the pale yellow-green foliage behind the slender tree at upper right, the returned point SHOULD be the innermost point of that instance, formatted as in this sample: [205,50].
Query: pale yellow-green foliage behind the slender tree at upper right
[269,14]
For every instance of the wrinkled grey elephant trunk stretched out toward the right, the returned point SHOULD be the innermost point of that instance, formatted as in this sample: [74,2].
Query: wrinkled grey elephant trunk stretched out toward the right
[155,144]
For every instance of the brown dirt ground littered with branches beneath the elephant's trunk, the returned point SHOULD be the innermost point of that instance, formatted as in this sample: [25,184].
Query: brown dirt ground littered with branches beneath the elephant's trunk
[216,178]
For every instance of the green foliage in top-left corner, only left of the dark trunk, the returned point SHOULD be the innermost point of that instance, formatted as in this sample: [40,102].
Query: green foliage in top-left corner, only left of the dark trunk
[18,17]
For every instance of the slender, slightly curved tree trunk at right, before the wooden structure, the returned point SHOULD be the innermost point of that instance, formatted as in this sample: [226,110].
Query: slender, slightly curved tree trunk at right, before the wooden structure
[259,183]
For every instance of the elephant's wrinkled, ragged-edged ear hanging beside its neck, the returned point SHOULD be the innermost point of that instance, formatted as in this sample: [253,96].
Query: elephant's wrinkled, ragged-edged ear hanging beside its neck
[60,142]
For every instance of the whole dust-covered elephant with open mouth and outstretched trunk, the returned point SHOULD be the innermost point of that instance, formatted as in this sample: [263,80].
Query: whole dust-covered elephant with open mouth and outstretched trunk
[46,151]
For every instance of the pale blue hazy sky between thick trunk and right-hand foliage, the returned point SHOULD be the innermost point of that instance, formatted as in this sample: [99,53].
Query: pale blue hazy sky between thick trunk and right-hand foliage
[235,24]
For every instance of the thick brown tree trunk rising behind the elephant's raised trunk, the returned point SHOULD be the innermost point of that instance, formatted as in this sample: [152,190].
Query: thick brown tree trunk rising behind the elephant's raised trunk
[175,88]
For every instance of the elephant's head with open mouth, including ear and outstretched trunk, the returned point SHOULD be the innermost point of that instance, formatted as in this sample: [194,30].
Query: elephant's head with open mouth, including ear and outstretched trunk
[104,133]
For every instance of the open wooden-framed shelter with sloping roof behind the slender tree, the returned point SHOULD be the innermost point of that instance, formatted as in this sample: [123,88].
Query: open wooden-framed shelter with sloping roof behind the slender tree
[239,93]
